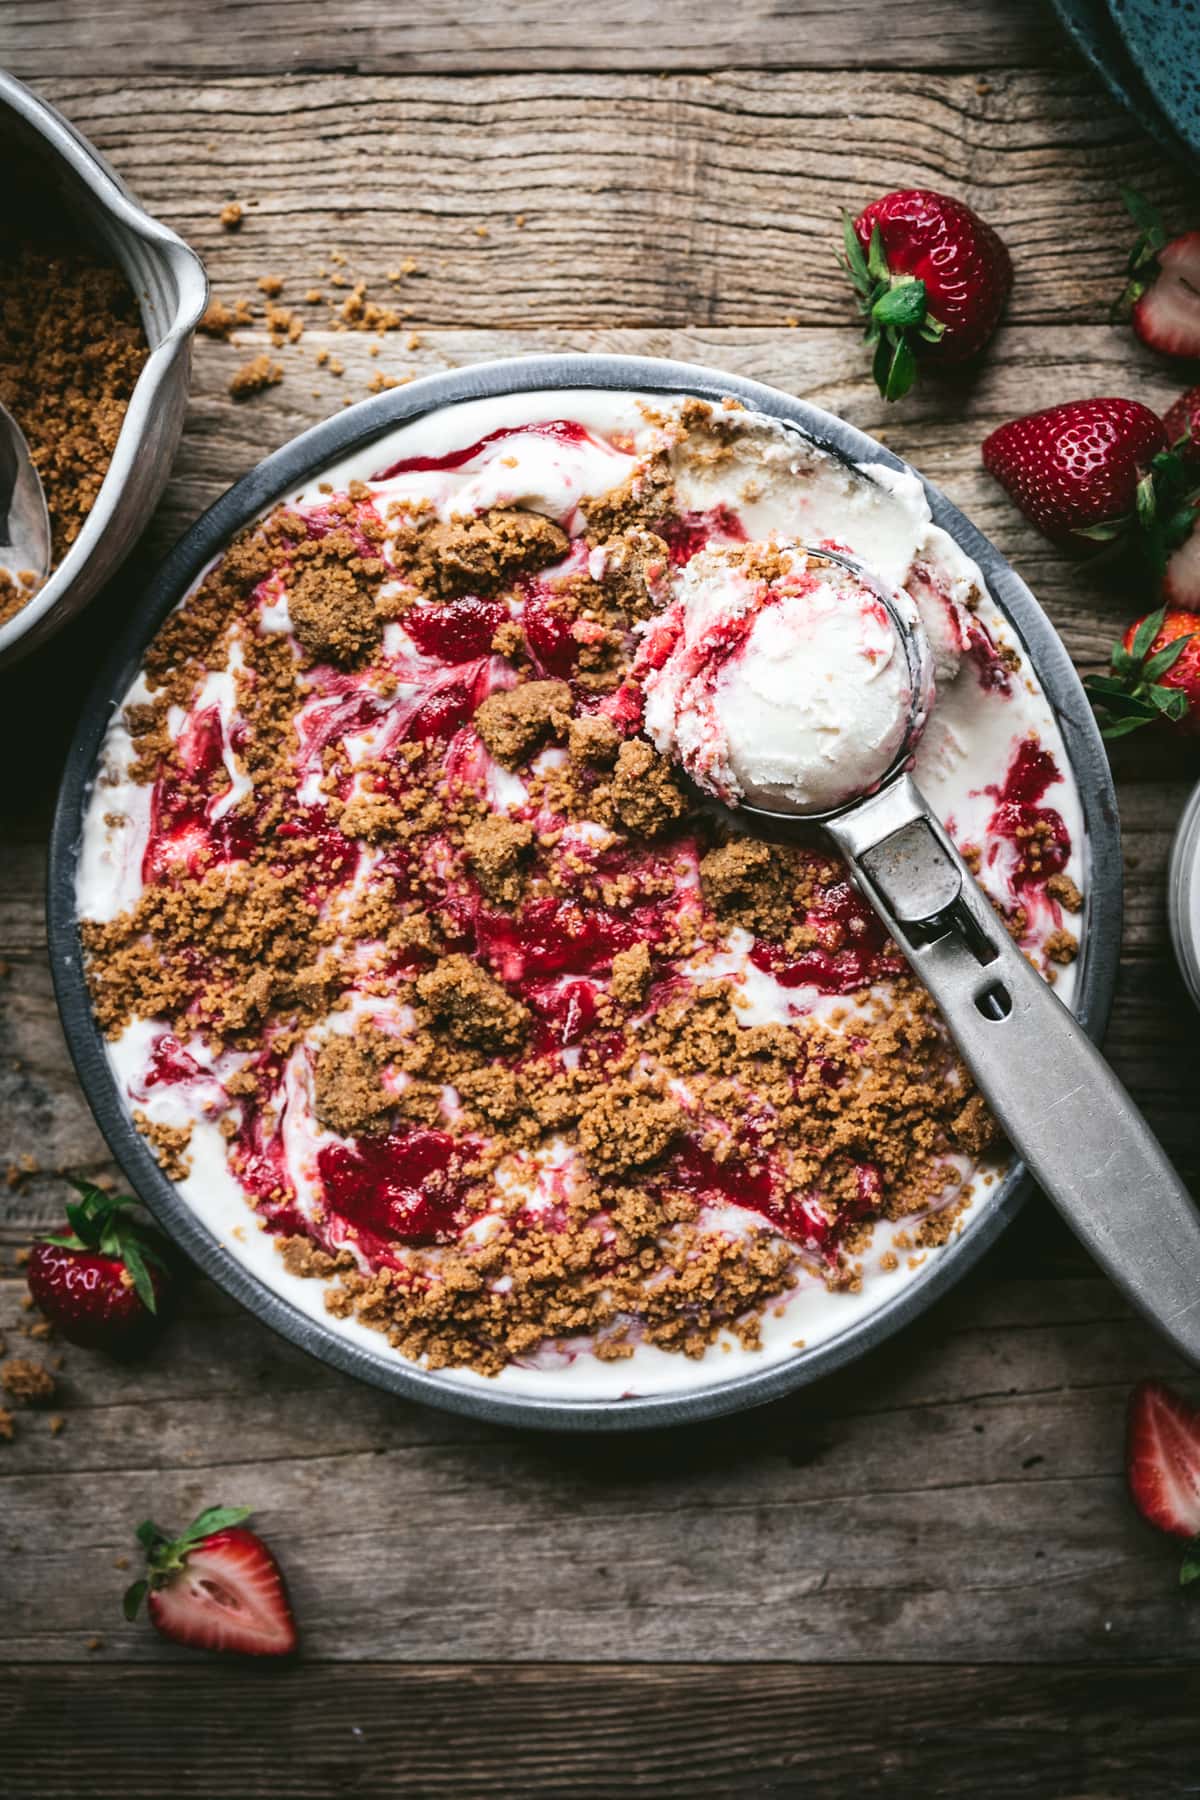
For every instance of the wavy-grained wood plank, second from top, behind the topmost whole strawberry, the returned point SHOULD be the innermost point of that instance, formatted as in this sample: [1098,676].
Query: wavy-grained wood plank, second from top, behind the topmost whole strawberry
[681,201]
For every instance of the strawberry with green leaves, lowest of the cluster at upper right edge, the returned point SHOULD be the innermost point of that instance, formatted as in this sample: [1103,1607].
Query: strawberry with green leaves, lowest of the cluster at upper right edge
[1156,676]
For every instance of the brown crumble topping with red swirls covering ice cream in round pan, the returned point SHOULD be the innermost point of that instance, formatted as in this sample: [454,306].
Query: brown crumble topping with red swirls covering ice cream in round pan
[418,1003]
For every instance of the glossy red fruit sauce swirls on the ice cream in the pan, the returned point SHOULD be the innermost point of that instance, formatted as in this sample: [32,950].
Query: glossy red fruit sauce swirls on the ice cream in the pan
[551,951]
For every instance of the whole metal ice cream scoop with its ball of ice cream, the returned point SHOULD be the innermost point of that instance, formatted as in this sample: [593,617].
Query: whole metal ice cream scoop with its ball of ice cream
[796,685]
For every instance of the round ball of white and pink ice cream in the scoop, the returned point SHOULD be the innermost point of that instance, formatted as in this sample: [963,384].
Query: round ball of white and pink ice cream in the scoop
[776,679]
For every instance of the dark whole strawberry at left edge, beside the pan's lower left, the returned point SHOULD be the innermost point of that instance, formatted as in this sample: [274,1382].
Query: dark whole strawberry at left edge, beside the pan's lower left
[105,1281]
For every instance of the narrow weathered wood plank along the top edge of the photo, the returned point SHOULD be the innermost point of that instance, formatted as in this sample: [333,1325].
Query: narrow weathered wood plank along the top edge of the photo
[283,37]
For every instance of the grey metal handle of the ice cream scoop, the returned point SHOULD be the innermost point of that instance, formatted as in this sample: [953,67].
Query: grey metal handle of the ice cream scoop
[1059,1102]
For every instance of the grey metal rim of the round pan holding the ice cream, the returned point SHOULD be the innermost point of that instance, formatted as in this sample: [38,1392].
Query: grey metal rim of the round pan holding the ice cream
[280,476]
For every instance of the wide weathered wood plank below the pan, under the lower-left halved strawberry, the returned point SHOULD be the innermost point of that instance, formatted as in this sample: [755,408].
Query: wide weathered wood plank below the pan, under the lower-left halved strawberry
[981,1468]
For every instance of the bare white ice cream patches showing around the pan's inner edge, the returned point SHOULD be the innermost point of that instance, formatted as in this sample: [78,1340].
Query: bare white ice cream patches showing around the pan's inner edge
[800,492]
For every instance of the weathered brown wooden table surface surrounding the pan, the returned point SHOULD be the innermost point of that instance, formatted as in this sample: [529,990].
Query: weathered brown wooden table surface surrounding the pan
[922,1576]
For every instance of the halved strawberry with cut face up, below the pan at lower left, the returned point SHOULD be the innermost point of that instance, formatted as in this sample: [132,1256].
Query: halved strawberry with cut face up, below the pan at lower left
[215,1588]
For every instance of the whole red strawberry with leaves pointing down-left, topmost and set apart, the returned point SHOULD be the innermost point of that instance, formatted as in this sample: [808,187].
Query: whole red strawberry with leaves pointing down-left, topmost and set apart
[931,278]
